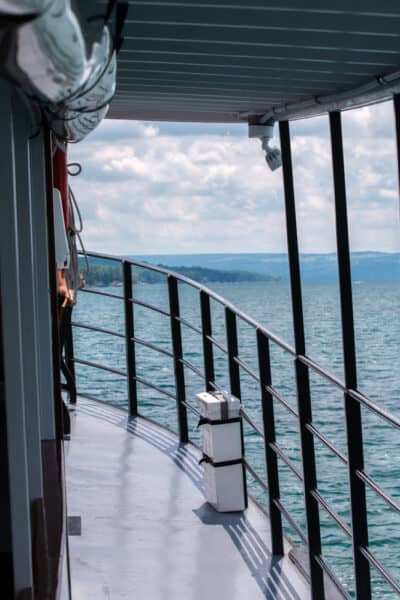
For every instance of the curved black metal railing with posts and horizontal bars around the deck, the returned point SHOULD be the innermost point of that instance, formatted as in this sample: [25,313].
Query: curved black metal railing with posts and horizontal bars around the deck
[268,394]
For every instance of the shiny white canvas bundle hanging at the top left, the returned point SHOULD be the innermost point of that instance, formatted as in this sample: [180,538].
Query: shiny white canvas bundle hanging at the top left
[49,61]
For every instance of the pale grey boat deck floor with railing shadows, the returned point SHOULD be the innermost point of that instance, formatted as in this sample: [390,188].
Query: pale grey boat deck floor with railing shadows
[146,530]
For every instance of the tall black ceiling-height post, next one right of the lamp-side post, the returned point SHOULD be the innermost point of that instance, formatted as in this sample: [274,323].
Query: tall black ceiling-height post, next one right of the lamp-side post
[352,408]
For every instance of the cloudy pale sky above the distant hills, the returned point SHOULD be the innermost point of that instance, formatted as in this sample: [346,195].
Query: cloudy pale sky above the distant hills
[153,188]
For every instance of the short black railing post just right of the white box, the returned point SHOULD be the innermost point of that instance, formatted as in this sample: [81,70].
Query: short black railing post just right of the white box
[271,460]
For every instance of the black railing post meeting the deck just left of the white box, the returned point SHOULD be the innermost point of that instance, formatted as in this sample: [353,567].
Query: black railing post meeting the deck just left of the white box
[176,336]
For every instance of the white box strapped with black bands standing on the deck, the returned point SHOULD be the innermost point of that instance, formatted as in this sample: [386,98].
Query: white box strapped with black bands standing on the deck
[224,475]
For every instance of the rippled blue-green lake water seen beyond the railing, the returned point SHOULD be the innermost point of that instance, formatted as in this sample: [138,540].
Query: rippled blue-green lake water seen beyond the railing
[376,311]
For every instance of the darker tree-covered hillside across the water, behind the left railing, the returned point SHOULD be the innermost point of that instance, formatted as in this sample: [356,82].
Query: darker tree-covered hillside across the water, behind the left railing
[102,273]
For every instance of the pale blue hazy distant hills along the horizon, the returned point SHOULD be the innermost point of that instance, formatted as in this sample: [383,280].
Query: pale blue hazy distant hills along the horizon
[366,266]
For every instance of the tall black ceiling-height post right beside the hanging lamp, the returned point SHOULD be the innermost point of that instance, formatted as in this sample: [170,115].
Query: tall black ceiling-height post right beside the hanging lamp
[302,373]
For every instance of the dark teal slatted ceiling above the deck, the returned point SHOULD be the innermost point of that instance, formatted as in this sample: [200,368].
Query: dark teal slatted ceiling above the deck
[224,60]
